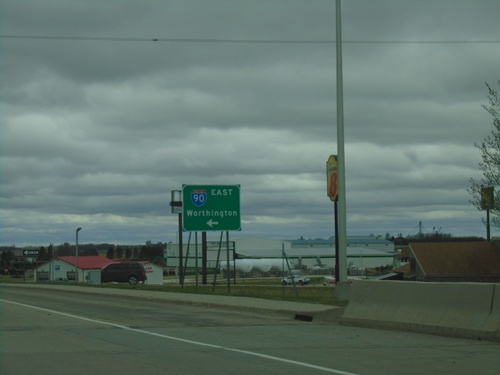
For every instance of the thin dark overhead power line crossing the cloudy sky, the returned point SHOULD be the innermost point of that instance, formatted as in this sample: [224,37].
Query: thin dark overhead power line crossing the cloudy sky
[239,41]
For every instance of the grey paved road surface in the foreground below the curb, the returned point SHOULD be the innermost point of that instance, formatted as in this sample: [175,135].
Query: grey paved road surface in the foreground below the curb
[46,331]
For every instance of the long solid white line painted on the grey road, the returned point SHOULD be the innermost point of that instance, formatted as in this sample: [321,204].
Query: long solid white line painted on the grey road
[270,357]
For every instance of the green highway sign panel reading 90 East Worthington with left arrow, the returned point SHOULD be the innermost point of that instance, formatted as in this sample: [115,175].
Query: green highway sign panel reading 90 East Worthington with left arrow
[210,208]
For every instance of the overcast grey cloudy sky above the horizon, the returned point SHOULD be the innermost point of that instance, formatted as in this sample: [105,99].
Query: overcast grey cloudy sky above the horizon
[99,122]
